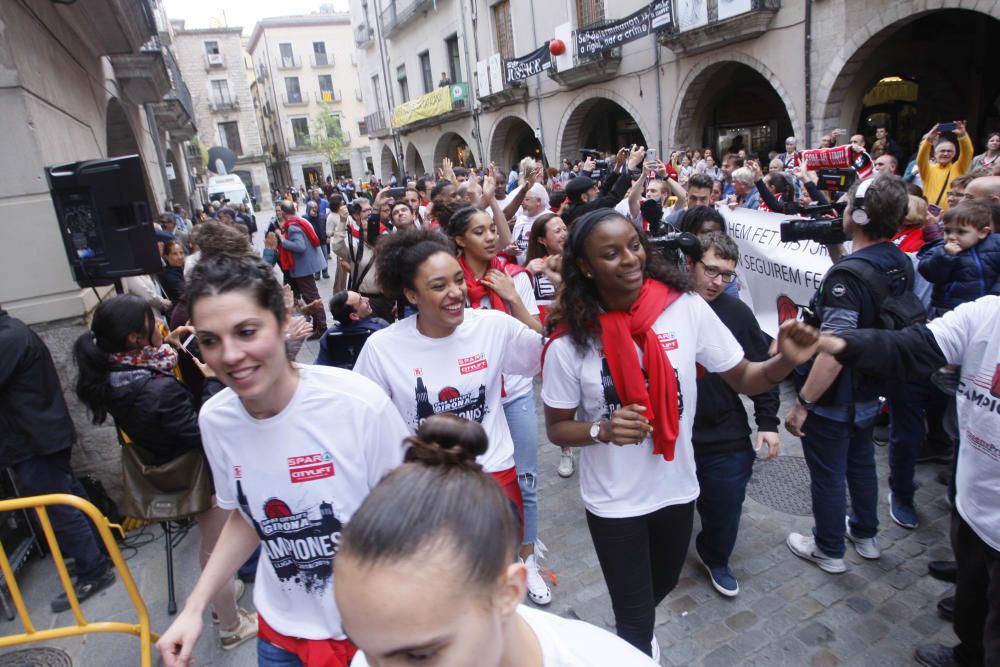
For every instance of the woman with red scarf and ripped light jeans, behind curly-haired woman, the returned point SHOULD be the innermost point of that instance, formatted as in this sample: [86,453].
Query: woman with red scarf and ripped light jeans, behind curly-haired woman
[494,283]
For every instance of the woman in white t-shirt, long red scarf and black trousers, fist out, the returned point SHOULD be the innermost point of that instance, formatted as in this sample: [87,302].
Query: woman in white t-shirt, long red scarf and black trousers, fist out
[620,382]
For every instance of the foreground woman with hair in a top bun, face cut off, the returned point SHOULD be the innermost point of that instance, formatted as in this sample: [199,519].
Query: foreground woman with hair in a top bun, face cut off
[438,537]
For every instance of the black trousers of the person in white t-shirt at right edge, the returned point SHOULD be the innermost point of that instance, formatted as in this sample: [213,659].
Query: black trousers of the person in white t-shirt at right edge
[977,597]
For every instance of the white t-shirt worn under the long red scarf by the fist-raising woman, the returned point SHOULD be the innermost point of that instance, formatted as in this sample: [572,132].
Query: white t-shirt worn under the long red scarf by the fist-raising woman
[629,480]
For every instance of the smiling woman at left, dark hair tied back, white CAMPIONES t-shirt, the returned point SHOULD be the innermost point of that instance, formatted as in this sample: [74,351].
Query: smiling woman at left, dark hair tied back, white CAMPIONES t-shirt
[295,449]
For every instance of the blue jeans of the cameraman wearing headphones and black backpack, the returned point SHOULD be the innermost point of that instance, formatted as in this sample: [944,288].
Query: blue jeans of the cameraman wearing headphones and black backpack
[838,452]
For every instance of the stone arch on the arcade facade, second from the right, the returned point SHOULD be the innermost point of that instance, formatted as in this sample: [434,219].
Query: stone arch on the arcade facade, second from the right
[685,116]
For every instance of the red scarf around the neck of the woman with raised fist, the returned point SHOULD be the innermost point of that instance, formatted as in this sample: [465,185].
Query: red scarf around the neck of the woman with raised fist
[618,329]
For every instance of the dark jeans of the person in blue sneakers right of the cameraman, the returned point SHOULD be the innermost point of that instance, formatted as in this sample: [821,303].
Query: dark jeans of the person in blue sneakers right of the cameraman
[907,429]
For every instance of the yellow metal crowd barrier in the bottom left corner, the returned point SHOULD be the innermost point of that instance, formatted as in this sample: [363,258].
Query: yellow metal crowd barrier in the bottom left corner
[82,627]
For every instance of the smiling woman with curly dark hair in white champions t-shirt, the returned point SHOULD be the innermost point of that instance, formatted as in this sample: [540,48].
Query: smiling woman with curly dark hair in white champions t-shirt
[447,358]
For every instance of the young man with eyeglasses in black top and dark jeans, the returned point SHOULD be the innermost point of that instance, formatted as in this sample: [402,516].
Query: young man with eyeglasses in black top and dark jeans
[723,453]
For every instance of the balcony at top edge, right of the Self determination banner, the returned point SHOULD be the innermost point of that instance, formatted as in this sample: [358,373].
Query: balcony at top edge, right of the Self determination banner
[716,33]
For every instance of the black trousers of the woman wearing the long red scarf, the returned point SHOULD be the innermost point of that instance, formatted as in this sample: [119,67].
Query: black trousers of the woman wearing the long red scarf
[641,558]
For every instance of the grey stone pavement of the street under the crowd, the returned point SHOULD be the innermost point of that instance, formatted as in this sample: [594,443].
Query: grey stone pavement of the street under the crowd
[788,611]
